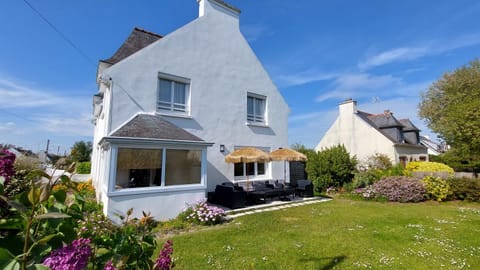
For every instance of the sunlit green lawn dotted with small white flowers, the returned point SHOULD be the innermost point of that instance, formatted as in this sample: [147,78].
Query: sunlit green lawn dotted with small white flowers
[340,234]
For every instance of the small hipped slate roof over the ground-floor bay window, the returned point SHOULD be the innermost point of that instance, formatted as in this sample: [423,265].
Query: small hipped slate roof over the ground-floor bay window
[153,127]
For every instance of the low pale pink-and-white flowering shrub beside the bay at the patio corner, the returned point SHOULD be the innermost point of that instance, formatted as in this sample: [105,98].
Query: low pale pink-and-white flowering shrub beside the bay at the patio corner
[204,214]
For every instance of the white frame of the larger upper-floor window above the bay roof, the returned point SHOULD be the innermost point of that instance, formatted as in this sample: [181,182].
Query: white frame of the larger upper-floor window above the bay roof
[173,108]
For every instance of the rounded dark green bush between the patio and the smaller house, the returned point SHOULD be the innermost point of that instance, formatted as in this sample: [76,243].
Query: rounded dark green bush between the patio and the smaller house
[331,167]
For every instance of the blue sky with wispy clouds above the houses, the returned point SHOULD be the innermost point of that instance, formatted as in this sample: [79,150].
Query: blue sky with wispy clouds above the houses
[318,53]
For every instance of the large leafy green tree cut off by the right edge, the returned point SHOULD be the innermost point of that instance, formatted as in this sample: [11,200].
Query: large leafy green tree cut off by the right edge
[450,108]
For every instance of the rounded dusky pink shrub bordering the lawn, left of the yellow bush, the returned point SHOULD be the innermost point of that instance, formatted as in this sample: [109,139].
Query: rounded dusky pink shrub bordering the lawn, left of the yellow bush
[400,189]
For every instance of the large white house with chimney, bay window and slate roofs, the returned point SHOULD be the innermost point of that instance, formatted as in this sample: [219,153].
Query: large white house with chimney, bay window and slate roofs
[170,108]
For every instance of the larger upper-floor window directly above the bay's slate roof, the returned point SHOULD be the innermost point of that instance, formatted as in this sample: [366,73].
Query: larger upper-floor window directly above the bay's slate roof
[173,94]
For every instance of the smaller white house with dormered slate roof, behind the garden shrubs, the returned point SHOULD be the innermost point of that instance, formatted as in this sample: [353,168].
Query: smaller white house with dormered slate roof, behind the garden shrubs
[364,134]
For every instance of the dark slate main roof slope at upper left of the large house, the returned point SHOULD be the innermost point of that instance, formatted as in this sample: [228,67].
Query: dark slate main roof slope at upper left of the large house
[138,39]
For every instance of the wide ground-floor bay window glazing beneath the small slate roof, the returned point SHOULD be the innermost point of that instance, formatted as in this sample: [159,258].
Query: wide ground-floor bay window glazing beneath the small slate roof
[138,167]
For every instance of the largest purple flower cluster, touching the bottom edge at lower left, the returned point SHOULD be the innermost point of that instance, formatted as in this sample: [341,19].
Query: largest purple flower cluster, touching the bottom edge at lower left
[74,256]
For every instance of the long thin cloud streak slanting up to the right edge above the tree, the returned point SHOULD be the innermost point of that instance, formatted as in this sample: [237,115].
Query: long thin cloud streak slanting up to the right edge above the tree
[433,47]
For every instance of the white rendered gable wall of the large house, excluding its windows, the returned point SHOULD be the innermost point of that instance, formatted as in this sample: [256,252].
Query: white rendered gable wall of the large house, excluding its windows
[213,54]
